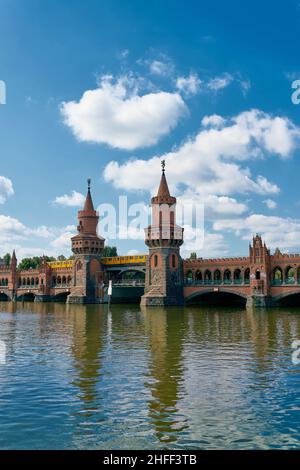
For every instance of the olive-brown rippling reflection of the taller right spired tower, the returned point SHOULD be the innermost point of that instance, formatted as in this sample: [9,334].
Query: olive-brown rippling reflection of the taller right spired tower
[165,333]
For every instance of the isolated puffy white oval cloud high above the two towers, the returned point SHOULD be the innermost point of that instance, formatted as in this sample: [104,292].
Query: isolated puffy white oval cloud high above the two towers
[115,114]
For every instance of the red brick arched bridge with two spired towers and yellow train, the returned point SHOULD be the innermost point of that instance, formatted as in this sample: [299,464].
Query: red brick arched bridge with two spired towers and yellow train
[161,278]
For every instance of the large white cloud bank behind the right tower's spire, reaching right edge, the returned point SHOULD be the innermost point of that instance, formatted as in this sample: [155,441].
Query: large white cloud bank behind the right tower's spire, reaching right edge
[210,163]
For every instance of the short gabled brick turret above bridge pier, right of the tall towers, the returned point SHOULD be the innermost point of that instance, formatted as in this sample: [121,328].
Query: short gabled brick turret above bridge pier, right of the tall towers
[259,257]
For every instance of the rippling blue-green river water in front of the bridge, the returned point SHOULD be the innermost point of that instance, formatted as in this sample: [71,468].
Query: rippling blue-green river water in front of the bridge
[86,377]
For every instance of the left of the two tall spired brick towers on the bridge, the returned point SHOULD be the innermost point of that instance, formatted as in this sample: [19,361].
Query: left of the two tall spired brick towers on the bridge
[87,247]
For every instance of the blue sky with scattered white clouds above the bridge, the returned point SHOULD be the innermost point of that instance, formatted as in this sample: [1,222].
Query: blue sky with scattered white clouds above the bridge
[106,89]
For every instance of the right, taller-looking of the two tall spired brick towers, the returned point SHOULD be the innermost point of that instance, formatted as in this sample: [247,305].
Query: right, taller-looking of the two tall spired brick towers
[164,268]
